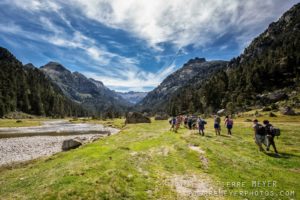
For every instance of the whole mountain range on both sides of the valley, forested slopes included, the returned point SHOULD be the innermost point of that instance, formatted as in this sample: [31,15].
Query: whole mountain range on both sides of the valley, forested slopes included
[267,73]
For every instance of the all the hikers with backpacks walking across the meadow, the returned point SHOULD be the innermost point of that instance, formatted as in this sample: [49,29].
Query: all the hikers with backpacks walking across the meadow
[263,134]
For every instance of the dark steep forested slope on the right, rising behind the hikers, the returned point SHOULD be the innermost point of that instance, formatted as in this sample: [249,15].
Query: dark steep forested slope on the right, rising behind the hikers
[267,71]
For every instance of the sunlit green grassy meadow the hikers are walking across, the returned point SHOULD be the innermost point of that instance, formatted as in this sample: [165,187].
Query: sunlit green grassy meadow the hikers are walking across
[147,161]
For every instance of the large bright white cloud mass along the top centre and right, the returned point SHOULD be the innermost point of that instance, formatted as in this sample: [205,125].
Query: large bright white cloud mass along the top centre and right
[183,22]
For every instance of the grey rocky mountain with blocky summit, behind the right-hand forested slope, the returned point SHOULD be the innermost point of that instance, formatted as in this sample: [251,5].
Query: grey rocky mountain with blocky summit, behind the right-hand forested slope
[157,99]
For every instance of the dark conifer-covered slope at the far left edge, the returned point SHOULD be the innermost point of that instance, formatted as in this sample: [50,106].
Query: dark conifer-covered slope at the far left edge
[26,89]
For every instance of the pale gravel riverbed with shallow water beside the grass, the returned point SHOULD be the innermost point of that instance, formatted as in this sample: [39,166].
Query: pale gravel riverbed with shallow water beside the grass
[18,149]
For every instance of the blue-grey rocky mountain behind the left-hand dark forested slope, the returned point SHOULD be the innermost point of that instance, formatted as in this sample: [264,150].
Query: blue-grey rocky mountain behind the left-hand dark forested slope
[88,92]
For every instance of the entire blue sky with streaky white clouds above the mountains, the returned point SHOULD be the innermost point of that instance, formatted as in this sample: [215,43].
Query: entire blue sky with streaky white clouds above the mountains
[132,44]
